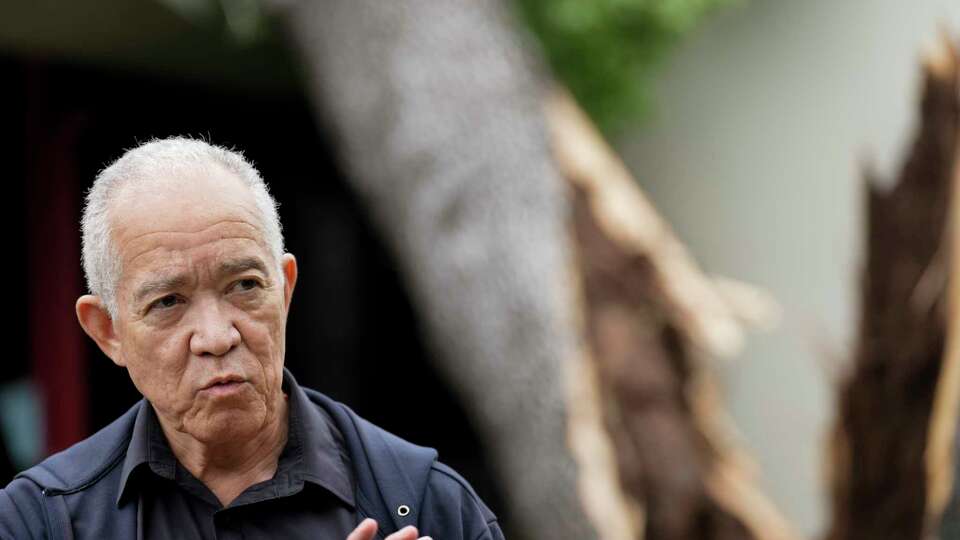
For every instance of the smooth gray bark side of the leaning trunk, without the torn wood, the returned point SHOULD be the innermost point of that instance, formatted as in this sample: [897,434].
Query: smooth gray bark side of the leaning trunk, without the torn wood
[439,118]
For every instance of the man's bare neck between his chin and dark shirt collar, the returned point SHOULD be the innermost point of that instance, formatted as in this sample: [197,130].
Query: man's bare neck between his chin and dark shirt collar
[230,468]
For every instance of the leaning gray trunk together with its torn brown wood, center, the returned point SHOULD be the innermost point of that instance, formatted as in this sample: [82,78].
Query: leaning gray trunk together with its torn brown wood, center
[570,321]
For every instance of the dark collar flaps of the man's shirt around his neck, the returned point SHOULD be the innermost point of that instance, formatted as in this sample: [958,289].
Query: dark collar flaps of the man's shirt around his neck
[314,451]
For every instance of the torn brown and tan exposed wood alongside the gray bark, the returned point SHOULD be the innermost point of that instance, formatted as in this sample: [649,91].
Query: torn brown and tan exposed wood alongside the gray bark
[652,320]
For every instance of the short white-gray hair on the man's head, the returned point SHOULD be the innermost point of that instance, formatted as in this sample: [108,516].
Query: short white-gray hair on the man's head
[153,160]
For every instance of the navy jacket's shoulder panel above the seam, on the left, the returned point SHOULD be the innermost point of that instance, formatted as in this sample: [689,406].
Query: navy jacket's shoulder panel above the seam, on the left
[87,461]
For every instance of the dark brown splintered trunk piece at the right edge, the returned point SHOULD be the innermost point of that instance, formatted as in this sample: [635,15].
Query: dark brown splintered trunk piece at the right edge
[887,482]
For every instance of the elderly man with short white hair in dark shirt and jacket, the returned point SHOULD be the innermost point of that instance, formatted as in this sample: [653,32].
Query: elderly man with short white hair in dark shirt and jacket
[190,290]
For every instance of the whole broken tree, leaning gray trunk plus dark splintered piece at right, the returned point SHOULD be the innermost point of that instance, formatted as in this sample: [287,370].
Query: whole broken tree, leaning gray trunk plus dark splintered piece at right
[576,328]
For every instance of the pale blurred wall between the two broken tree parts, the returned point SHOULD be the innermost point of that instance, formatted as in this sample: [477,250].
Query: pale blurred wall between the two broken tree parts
[763,120]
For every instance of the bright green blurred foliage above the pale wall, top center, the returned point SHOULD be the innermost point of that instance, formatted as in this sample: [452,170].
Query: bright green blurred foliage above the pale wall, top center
[606,51]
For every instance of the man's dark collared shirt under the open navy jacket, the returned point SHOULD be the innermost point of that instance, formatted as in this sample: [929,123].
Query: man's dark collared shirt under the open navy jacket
[310,496]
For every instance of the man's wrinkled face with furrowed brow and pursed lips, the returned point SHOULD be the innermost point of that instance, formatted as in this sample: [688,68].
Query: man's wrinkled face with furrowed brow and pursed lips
[201,305]
